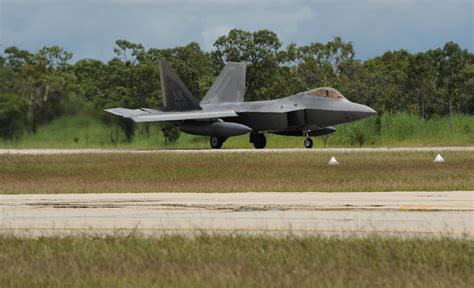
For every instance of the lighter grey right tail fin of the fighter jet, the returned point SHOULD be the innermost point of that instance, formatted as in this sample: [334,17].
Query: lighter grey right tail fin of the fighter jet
[229,86]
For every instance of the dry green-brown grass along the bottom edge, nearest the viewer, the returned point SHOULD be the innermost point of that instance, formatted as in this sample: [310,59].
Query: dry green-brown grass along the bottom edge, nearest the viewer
[235,261]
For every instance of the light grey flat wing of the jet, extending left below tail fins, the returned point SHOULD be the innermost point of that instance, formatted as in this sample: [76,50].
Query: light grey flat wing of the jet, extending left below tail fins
[152,115]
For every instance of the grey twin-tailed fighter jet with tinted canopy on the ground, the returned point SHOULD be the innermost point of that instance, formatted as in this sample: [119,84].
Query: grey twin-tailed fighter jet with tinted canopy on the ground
[223,113]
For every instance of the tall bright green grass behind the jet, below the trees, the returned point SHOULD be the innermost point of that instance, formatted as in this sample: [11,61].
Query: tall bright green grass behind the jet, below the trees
[390,130]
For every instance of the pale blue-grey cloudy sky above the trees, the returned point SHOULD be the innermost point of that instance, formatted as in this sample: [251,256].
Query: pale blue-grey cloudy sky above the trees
[89,28]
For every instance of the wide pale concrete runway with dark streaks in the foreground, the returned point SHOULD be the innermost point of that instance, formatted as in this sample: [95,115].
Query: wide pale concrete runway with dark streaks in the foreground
[424,214]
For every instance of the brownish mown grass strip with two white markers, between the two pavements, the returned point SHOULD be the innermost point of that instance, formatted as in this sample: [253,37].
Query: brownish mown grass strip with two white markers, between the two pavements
[234,172]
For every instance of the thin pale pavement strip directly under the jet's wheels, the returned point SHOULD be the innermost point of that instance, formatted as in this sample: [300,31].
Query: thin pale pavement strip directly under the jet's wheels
[273,150]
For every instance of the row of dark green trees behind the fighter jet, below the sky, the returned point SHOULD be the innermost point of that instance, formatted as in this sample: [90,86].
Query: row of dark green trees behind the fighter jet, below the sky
[37,87]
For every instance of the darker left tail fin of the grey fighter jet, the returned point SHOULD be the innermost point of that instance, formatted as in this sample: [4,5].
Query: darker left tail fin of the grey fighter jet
[176,97]
